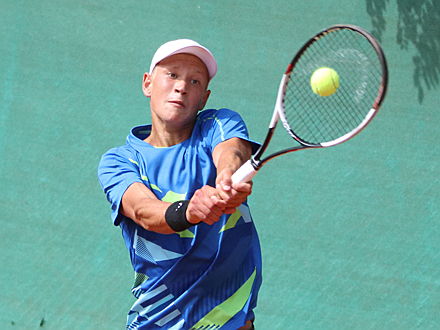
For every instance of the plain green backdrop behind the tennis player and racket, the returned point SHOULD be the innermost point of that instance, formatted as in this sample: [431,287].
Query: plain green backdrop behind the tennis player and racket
[350,235]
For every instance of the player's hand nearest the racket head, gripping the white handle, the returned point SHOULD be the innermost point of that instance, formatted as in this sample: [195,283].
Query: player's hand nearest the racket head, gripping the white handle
[233,194]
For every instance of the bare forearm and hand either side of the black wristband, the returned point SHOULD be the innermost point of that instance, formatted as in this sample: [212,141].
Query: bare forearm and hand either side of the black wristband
[143,207]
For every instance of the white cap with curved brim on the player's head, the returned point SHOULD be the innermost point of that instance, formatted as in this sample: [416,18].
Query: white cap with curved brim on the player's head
[187,46]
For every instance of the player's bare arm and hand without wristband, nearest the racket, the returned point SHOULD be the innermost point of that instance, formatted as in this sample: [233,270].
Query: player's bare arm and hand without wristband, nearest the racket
[228,156]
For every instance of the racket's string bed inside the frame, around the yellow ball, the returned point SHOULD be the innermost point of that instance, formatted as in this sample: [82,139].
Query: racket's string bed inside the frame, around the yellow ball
[318,119]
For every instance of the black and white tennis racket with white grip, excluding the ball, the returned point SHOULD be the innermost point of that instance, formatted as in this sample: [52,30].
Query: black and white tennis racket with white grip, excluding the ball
[315,121]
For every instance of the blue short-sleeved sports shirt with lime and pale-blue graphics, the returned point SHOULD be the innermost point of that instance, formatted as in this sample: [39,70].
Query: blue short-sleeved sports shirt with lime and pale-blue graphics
[206,276]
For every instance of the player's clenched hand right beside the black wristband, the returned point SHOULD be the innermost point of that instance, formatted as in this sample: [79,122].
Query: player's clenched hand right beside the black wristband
[205,206]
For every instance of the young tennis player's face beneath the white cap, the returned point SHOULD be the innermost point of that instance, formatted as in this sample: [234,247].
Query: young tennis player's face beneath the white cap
[177,89]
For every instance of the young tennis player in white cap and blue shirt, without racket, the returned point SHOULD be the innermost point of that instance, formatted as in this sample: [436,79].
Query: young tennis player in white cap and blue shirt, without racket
[188,229]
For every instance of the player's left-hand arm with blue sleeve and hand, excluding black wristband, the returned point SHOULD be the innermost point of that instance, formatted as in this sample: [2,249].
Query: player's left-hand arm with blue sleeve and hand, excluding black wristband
[137,202]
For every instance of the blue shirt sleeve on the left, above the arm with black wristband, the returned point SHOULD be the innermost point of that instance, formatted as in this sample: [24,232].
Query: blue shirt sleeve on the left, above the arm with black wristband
[117,170]
